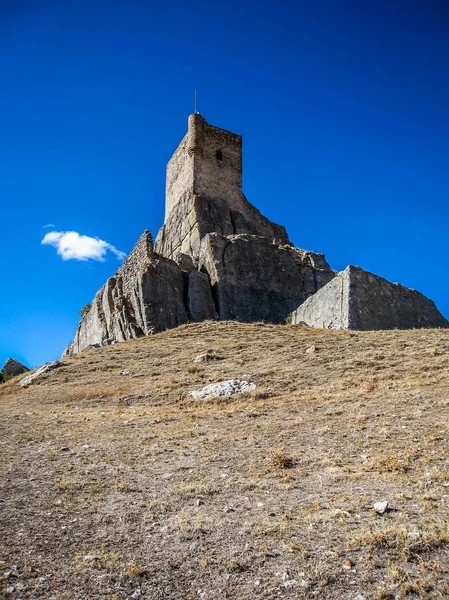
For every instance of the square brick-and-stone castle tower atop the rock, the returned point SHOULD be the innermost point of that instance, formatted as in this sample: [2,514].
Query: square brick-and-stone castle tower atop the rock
[208,162]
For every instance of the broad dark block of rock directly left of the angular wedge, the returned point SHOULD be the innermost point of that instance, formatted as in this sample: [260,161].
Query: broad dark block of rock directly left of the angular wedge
[255,280]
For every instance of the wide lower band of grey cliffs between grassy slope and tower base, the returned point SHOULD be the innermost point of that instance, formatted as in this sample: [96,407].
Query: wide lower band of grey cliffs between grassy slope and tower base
[241,277]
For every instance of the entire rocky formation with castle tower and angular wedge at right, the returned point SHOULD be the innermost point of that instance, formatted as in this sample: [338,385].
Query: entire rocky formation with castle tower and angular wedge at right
[217,257]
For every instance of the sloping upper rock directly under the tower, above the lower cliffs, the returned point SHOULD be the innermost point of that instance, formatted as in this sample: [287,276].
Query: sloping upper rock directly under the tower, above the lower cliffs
[195,216]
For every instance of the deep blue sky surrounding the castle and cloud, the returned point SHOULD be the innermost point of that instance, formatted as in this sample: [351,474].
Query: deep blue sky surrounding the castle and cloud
[343,108]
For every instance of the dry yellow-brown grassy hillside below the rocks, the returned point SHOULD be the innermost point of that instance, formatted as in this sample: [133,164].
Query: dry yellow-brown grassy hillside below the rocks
[120,486]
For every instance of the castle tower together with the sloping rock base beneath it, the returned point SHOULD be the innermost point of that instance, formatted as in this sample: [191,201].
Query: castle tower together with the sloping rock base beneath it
[204,193]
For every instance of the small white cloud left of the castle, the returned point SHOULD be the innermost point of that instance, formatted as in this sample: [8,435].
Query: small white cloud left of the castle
[70,245]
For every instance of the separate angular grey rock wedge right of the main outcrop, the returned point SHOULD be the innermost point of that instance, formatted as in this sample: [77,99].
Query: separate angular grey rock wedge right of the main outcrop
[356,299]
